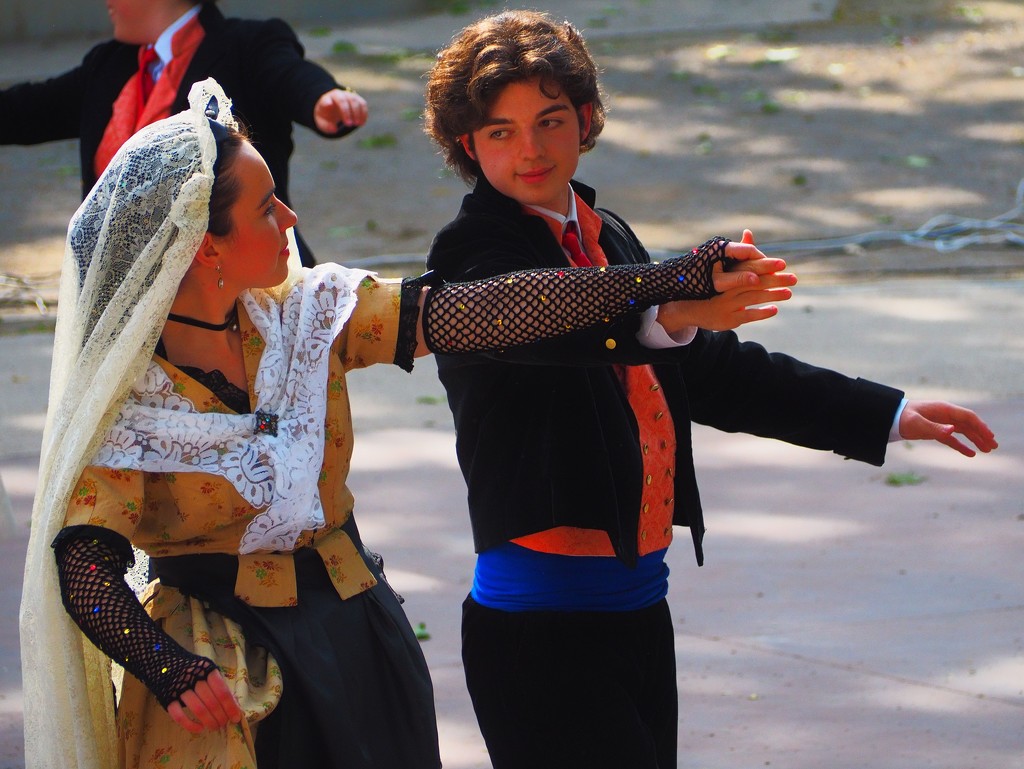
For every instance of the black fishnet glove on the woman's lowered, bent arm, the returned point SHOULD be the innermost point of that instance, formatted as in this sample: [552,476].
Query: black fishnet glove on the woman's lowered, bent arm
[92,566]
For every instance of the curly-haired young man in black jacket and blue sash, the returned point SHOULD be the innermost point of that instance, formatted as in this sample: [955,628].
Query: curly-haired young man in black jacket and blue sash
[578,471]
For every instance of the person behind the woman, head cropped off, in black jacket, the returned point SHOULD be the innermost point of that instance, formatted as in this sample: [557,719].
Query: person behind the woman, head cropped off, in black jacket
[159,50]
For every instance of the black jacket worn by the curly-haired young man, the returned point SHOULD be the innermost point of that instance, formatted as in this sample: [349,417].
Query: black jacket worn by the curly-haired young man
[545,435]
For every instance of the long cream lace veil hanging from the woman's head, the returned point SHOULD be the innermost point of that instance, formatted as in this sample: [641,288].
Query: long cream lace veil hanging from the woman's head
[129,247]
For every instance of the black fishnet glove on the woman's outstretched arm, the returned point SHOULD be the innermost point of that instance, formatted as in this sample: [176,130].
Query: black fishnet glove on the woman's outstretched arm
[528,307]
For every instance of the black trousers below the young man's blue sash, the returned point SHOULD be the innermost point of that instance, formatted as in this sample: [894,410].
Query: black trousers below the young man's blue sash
[574,691]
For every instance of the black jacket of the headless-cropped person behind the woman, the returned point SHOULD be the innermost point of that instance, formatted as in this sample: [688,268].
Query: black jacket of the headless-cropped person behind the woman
[260,64]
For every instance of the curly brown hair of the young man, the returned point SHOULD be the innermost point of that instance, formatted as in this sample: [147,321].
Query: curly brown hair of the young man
[486,57]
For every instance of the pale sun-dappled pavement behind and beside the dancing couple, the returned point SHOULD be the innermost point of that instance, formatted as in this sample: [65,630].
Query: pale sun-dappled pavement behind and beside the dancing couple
[847,616]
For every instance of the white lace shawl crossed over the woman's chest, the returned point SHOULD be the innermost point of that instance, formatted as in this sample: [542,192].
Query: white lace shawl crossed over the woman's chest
[159,431]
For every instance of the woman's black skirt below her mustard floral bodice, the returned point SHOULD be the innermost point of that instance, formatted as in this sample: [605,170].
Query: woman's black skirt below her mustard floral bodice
[357,691]
